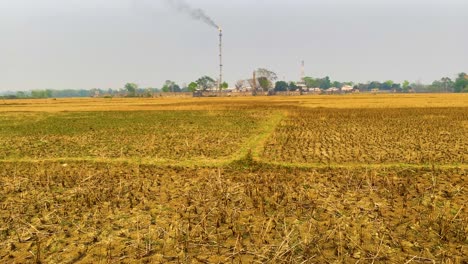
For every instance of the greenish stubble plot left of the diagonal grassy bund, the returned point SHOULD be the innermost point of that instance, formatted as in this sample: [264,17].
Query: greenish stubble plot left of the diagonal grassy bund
[136,135]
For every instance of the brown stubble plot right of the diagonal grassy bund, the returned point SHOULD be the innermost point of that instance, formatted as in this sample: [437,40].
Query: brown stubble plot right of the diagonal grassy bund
[377,136]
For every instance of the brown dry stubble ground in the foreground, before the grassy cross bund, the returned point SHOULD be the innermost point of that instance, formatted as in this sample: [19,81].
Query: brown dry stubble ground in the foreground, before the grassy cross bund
[96,213]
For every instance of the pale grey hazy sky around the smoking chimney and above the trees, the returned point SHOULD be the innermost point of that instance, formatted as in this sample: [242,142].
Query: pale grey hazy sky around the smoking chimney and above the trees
[74,44]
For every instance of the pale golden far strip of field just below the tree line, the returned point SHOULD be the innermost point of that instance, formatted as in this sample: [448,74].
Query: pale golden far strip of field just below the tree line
[354,101]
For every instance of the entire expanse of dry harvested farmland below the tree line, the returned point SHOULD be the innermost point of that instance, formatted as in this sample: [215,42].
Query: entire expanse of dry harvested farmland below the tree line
[312,179]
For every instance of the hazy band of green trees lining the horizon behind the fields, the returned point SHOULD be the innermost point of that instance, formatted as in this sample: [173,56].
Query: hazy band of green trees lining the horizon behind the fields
[265,80]
